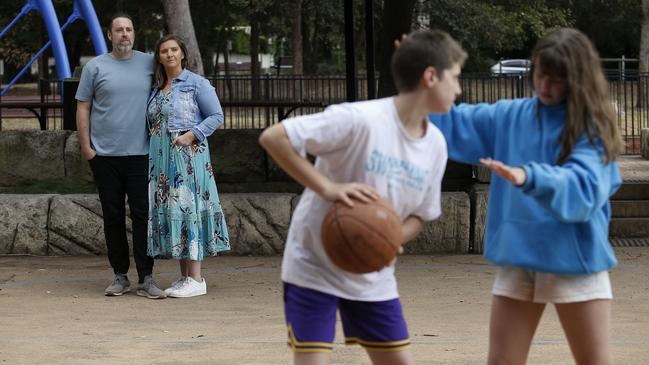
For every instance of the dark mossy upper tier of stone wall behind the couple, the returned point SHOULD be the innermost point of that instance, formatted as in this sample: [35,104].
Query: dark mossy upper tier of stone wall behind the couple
[51,161]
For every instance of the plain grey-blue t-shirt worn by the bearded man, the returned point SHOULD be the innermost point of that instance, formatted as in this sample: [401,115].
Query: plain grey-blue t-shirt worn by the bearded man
[118,91]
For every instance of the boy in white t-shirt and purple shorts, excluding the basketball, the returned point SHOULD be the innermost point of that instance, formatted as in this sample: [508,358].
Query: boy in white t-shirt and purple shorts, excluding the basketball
[384,147]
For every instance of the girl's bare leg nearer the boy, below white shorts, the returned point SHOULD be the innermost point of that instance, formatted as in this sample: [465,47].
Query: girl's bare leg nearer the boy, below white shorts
[512,327]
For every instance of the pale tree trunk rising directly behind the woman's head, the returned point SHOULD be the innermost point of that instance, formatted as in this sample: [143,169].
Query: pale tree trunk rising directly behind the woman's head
[179,22]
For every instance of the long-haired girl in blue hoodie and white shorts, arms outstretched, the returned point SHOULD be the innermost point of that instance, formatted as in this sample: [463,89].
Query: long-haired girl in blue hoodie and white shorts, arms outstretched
[553,163]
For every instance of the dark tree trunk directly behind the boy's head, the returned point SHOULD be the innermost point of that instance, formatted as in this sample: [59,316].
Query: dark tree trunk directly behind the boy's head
[397,19]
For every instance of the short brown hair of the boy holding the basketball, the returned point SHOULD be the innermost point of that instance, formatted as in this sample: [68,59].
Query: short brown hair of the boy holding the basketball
[421,49]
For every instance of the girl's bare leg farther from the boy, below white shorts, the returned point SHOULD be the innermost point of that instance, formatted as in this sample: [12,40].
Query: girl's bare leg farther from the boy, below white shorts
[586,325]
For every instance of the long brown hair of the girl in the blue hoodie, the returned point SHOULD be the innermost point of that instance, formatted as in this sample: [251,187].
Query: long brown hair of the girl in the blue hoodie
[568,54]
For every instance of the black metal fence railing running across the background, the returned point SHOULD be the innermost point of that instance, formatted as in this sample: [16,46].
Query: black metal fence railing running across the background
[259,102]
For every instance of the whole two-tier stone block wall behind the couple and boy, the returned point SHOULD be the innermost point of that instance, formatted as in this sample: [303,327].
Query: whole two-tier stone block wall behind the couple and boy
[42,212]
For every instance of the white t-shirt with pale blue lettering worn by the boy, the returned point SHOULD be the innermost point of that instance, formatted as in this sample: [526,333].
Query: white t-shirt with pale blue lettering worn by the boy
[360,142]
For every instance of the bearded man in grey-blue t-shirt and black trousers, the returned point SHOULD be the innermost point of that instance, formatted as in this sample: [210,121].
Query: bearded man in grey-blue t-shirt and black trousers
[111,105]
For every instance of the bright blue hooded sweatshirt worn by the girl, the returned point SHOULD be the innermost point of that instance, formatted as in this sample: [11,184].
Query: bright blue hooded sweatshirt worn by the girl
[557,222]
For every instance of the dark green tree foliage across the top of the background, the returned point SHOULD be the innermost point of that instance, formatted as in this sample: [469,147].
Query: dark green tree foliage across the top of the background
[488,29]
